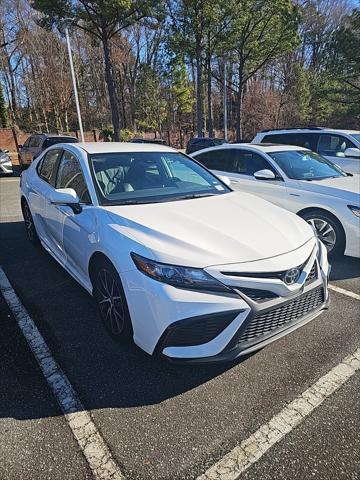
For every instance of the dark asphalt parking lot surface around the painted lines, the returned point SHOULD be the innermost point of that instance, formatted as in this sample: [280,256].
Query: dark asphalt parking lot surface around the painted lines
[161,421]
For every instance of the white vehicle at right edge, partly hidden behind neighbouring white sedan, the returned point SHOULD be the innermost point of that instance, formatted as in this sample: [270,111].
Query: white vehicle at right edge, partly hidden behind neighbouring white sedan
[340,146]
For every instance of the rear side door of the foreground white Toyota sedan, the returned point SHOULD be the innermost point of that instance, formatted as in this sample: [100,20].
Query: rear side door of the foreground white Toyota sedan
[41,185]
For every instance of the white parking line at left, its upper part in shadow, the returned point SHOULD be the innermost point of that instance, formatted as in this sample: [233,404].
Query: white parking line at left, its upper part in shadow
[82,426]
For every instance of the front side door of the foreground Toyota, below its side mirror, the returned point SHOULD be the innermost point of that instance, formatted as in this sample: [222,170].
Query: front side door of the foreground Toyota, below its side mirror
[70,232]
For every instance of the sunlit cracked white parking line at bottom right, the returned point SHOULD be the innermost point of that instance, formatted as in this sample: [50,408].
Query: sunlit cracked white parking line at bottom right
[253,448]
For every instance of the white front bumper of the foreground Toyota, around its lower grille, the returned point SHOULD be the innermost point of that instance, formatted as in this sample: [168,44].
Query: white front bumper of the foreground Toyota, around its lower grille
[189,326]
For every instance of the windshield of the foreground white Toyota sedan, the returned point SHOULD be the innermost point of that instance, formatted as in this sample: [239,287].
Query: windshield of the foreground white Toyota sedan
[151,177]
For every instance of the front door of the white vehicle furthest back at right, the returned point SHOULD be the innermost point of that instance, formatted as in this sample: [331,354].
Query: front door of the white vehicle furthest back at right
[332,146]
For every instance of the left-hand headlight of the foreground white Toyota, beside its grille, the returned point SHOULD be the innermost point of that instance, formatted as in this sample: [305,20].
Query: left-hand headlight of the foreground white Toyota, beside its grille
[177,276]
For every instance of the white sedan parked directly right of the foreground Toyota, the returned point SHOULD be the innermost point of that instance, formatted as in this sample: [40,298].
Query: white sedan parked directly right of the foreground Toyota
[300,181]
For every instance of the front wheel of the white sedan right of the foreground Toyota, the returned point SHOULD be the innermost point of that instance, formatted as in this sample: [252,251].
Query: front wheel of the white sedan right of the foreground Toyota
[329,231]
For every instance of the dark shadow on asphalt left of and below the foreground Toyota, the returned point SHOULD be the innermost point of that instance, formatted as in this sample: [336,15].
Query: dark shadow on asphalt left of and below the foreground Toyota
[105,374]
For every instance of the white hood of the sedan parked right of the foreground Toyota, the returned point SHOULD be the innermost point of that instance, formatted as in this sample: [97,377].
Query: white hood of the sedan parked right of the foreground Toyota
[347,188]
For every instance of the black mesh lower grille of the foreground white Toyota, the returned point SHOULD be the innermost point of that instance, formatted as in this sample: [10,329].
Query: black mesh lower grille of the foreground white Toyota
[264,323]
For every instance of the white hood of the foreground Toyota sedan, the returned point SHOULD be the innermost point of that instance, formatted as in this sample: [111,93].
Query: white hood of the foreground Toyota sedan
[230,228]
